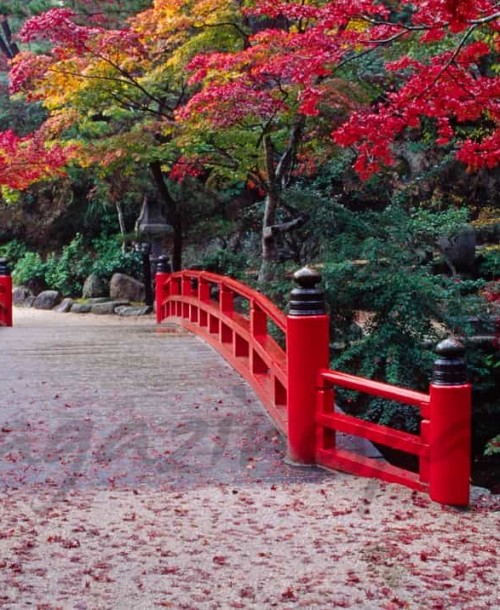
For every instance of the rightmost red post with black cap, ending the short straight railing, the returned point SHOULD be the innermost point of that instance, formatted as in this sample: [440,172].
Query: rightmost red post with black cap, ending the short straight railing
[450,426]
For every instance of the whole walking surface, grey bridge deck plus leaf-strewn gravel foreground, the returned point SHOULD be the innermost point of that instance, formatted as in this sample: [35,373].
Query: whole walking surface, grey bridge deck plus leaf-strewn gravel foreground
[138,471]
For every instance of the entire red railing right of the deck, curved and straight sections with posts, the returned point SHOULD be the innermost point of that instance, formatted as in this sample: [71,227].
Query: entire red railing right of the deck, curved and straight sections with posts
[292,379]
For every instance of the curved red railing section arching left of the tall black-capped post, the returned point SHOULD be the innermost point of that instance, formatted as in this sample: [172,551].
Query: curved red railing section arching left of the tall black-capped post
[242,339]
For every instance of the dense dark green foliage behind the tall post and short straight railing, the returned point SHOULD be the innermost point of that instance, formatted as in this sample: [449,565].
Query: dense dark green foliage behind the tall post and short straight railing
[389,305]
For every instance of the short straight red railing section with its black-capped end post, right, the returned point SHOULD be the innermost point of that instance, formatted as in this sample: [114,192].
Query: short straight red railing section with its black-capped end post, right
[442,445]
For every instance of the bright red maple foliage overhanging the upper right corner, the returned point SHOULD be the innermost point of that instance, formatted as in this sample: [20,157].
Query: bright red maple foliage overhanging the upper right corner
[450,85]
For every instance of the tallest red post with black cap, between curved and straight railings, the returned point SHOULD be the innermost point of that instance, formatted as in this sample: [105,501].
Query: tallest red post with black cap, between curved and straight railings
[308,332]
